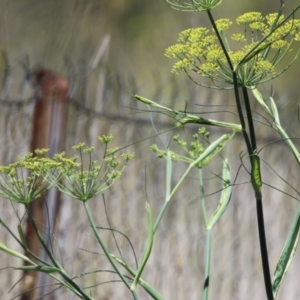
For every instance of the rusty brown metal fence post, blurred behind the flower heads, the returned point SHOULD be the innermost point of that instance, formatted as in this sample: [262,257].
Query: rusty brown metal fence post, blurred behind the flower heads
[48,131]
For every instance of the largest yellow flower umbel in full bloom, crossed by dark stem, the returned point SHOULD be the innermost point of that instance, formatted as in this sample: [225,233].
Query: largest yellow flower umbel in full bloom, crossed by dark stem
[253,53]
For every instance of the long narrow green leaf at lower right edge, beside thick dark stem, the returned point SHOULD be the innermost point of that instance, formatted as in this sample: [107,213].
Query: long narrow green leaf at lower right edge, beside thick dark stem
[287,253]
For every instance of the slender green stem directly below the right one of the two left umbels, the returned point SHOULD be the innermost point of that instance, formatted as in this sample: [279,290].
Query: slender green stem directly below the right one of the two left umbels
[105,250]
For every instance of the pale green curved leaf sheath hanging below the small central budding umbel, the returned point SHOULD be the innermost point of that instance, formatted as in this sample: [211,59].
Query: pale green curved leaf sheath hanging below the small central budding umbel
[225,197]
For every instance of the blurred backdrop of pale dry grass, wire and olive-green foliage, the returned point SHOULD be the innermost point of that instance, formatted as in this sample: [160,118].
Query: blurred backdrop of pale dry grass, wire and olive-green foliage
[111,50]
